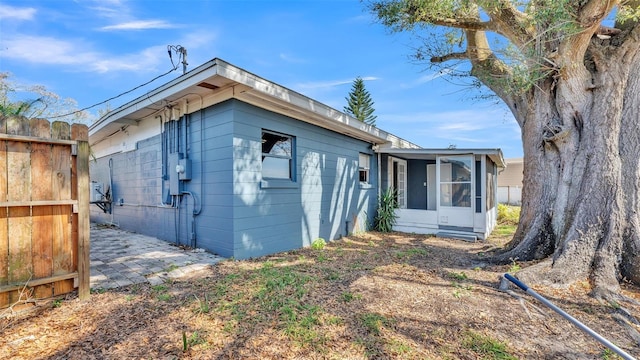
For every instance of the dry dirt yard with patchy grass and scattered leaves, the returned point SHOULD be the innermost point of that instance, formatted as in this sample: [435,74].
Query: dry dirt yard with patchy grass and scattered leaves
[371,296]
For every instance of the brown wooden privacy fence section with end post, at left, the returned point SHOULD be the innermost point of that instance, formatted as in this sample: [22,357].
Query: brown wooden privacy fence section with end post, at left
[44,209]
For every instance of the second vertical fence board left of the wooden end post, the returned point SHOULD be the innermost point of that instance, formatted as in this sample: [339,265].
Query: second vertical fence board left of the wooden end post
[41,189]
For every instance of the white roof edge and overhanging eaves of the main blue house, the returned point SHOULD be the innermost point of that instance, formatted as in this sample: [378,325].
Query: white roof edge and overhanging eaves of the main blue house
[216,81]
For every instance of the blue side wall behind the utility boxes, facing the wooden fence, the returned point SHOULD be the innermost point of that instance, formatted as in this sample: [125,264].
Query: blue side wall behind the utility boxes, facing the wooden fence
[137,179]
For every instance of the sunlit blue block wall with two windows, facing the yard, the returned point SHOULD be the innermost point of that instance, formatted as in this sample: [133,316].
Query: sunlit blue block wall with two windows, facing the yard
[326,195]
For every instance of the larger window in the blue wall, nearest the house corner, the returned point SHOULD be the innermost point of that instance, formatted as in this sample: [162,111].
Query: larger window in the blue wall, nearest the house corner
[277,155]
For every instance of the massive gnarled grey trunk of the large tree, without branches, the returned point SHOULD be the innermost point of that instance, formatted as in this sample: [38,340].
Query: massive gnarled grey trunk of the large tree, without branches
[581,135]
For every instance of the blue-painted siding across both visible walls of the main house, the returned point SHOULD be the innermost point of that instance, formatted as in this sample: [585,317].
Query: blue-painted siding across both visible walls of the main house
[239,216]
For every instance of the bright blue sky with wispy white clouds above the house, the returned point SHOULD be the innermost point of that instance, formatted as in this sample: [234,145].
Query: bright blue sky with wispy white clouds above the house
[92,50]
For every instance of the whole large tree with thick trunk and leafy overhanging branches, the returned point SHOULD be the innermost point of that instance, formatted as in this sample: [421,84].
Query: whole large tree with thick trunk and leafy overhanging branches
[573,86]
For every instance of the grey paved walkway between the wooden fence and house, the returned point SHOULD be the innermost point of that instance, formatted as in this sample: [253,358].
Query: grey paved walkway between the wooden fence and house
[120,258]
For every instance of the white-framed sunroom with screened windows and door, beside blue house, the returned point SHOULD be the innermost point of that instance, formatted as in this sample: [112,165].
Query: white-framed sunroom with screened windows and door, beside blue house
[447,192]
